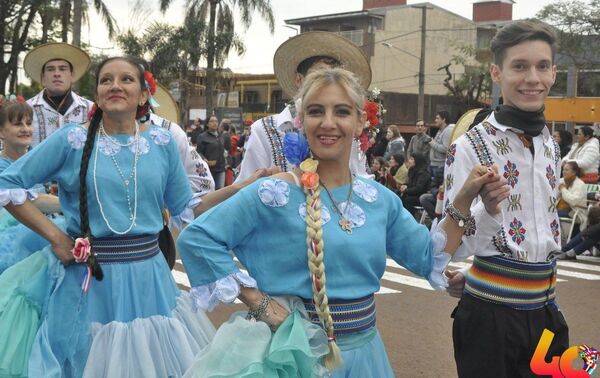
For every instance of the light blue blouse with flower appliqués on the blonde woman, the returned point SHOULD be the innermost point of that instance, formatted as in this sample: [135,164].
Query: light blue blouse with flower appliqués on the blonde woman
[266,230]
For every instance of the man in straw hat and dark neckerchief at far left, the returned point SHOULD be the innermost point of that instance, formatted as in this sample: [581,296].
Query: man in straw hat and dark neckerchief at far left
[56,66]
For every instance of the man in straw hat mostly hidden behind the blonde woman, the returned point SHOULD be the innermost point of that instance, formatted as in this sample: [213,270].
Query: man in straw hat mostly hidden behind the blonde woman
[293,60]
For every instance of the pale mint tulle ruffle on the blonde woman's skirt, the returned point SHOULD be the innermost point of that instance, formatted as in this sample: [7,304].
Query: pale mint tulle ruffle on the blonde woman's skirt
[245,348]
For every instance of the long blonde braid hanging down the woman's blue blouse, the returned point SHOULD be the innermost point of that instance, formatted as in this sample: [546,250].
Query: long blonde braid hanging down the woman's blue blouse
[314,241]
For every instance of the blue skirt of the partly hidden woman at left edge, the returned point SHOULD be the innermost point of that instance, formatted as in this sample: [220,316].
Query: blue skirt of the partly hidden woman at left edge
[17,241]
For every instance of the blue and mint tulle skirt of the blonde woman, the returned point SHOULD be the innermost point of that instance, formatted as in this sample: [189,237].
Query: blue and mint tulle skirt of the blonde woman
[245,348]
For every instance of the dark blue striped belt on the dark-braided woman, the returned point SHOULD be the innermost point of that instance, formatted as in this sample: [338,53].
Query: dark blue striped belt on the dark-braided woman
[125,249]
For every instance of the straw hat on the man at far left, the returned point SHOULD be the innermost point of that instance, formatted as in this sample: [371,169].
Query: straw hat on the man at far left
[36,58]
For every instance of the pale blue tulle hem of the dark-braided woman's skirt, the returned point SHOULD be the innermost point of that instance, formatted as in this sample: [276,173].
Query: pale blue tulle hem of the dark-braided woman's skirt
[157,346]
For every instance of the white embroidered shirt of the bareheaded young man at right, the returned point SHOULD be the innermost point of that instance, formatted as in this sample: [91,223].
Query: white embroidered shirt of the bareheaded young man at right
[527,228]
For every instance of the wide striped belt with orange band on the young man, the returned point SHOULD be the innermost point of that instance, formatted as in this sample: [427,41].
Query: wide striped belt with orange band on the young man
[517,284]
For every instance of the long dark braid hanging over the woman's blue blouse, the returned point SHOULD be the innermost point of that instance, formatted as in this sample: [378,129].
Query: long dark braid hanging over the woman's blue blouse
[84,220]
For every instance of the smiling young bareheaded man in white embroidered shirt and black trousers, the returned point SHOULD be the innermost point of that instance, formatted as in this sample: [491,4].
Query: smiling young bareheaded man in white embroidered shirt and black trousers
[500,317]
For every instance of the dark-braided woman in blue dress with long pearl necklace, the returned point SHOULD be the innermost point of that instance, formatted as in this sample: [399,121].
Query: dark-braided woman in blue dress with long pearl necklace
[114,310]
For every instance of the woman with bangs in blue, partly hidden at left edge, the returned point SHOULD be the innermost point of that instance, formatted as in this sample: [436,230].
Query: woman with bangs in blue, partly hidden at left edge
[17,241]
